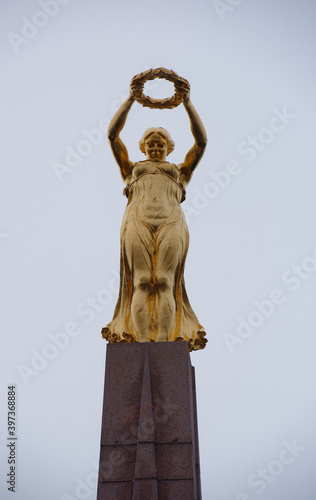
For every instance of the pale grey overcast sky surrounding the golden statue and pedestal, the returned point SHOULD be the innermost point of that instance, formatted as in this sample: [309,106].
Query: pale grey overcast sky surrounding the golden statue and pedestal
[251,269]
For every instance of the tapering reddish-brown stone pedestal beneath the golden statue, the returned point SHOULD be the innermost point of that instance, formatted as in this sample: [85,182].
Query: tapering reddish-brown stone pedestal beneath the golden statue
[149,438]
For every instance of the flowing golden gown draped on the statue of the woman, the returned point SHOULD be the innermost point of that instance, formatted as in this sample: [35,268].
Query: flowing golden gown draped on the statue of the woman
[154,236]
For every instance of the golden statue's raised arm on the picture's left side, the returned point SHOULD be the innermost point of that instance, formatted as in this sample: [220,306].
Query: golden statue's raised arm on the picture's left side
[118,147]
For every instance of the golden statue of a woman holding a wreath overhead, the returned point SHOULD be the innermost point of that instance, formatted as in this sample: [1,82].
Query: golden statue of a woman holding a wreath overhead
[153,305]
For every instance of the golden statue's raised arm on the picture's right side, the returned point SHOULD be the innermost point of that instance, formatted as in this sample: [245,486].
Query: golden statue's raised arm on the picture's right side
[195,154]
